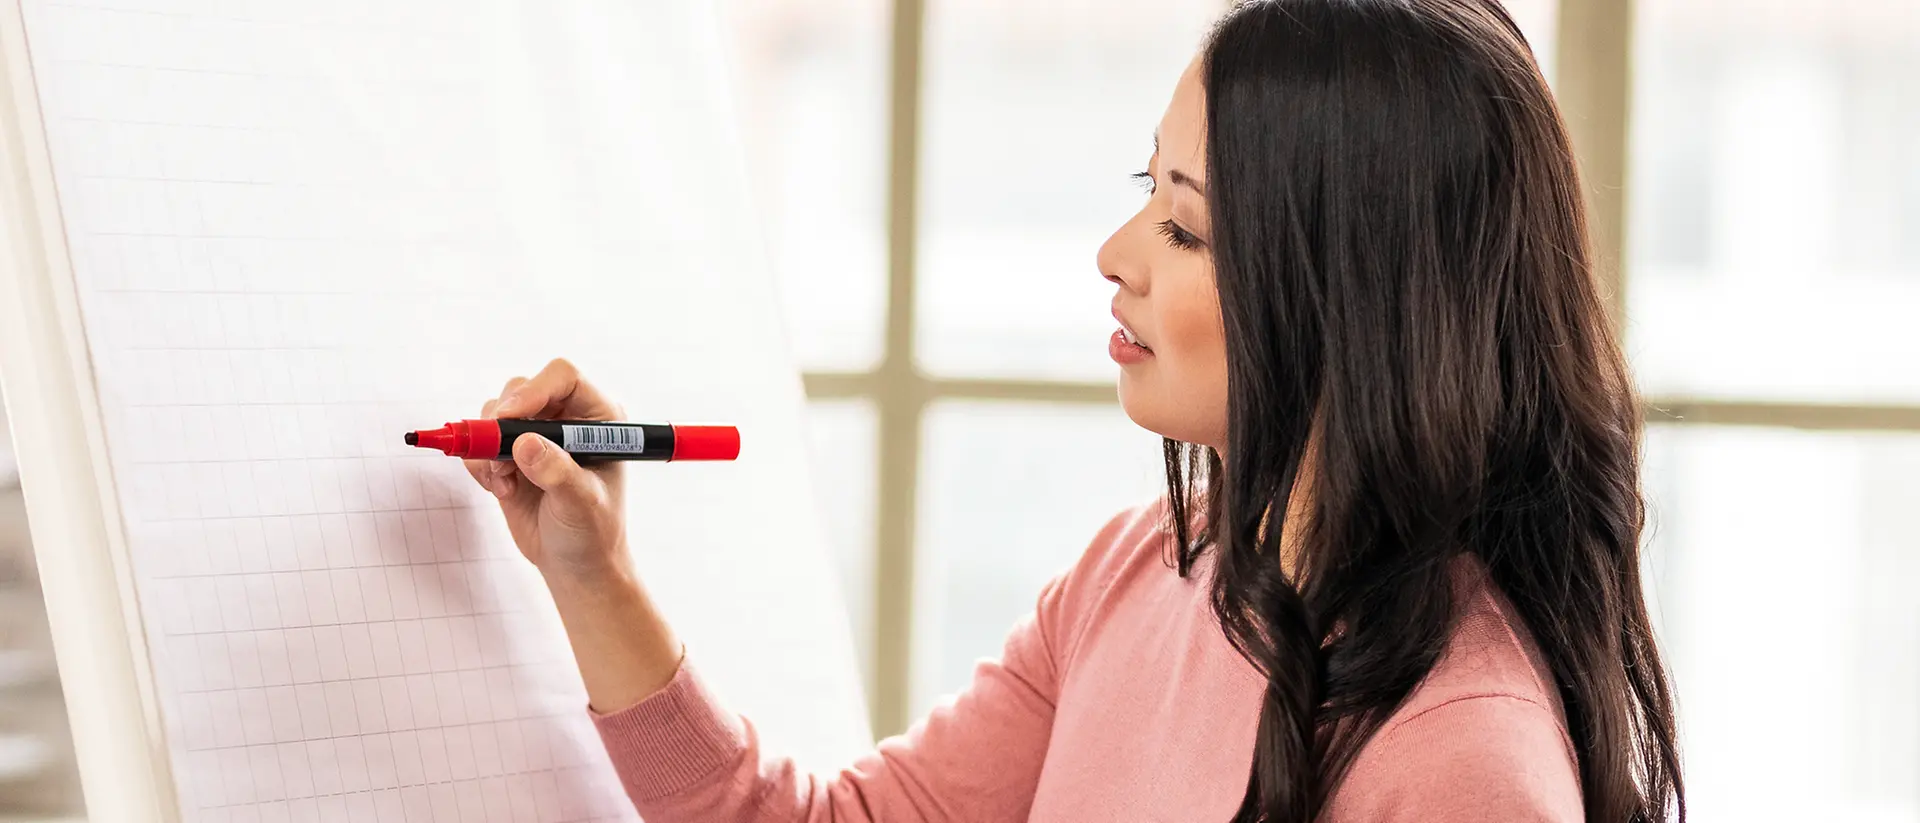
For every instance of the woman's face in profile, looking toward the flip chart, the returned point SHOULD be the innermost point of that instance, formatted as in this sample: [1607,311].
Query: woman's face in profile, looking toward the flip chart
[1172,348]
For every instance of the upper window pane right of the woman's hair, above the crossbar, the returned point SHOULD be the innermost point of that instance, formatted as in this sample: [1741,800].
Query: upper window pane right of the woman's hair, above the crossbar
[1777,200]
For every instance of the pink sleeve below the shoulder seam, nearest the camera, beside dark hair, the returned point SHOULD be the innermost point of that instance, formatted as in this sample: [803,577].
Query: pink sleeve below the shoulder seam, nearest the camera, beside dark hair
[1491,759]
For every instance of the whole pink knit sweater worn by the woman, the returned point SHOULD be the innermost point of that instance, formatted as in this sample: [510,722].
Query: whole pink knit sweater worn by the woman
[1118,699]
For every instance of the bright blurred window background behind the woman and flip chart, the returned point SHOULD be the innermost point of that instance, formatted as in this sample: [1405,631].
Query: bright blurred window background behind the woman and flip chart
[936,177]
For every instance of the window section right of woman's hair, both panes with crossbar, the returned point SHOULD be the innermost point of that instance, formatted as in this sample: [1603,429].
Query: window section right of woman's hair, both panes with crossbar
[1771,283]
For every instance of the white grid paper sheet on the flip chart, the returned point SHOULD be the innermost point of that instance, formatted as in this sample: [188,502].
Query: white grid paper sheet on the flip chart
[302,229]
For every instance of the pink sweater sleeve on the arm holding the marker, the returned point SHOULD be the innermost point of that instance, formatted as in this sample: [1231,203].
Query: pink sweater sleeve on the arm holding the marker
[683,757]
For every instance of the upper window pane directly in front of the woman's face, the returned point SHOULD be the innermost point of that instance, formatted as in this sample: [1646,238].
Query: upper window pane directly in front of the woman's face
[1034,116]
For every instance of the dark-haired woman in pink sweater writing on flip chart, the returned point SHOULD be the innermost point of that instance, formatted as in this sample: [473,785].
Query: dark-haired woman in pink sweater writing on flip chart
[1397,575]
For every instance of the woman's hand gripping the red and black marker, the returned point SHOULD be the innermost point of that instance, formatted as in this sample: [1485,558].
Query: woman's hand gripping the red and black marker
[567,519]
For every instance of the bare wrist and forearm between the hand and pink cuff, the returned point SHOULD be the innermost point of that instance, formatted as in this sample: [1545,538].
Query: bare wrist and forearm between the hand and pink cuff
[621,642]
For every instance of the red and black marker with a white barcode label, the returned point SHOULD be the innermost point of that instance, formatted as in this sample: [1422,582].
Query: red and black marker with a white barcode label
[492,440]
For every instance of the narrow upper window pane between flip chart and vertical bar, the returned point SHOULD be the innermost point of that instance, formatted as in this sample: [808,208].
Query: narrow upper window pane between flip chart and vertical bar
[811,85]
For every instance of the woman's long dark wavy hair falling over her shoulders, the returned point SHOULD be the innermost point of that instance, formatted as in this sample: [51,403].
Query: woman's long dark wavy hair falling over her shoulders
[1416,339]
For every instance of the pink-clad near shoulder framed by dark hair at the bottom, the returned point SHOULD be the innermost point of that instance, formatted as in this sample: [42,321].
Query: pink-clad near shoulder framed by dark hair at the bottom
[1483,738]
